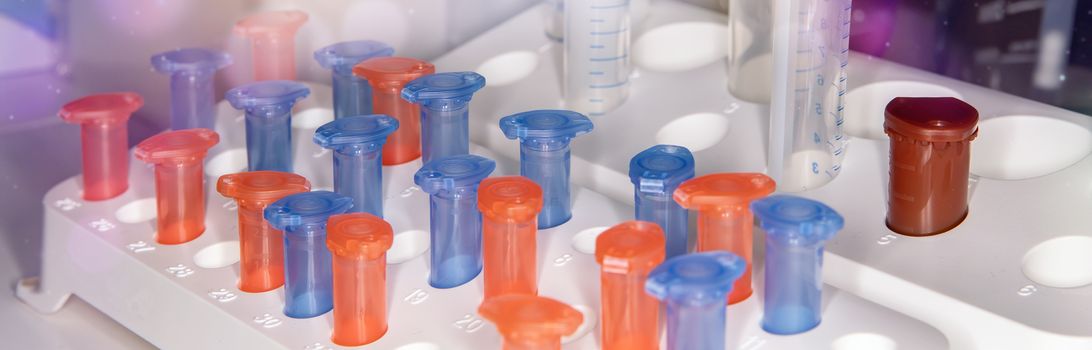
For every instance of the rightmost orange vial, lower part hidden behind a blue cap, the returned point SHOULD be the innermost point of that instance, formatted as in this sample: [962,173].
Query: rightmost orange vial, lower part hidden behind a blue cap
[726,222]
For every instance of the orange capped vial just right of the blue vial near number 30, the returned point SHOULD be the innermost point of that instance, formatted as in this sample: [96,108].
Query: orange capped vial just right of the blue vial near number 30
[360,243]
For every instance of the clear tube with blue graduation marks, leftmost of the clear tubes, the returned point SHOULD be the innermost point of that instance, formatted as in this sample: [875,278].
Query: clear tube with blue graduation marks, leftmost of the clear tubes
[597,55]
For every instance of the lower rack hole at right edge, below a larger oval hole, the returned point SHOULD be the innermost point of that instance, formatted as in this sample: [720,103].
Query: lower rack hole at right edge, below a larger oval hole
[1061,263]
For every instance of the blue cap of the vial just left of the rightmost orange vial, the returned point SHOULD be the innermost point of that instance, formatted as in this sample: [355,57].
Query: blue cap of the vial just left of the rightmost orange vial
[661,168]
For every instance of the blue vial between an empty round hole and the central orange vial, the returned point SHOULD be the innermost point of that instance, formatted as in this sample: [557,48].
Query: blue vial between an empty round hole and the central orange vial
[453,185]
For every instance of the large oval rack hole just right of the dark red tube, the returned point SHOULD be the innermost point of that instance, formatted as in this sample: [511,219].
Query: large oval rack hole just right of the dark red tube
[1017,148]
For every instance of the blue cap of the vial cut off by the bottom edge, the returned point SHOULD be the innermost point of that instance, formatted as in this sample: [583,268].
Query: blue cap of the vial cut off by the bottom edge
[697,279]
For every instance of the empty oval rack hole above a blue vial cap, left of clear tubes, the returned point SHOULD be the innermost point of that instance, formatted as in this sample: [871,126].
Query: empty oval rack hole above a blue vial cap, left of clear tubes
[697,131]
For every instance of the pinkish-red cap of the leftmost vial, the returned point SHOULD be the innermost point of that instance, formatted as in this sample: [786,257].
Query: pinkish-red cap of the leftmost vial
[102,108]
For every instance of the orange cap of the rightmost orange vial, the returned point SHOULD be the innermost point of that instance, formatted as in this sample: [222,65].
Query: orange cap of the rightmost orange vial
[723,190]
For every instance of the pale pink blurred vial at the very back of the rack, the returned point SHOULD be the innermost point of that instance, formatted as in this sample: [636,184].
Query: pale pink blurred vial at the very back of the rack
[272,43]
